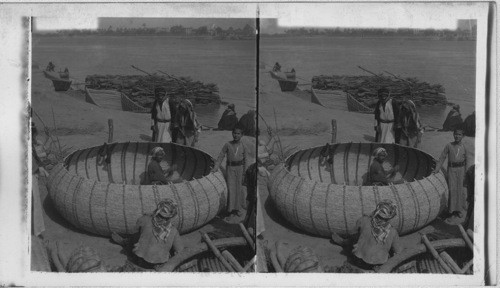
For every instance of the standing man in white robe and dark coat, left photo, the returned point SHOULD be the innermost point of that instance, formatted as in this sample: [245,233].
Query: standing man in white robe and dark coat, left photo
[161,117]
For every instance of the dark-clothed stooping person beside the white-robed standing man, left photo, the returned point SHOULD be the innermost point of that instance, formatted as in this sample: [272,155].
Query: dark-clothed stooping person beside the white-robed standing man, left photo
[187,123]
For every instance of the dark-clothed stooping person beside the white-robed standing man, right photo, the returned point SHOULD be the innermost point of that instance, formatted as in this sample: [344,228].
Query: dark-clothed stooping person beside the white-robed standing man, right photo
[411,128]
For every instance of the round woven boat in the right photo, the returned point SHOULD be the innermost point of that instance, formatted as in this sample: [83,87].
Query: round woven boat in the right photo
[321,198]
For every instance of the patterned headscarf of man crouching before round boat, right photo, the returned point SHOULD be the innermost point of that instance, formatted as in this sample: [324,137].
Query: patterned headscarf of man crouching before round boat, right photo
[381,227]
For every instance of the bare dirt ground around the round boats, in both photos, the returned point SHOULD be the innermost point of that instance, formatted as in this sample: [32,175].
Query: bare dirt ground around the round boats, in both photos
[300,124]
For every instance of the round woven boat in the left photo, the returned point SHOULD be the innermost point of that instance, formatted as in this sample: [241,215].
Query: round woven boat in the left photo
[99,189]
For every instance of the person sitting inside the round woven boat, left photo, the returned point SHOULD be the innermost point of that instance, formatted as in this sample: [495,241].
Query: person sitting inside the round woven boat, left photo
[158,176]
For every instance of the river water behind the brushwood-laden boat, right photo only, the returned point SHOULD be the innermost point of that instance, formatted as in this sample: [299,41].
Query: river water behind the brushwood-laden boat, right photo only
[449,63]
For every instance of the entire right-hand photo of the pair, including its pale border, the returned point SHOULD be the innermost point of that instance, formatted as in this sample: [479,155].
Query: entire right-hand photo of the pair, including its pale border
[368,146]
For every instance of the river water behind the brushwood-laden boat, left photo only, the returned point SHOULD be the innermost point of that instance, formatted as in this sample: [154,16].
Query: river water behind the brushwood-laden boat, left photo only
[229,64]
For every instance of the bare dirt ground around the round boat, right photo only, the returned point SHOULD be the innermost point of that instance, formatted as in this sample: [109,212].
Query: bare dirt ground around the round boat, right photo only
[303,125]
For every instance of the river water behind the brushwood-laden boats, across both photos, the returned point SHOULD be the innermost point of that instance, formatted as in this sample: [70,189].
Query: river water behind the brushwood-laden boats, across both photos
[232,64]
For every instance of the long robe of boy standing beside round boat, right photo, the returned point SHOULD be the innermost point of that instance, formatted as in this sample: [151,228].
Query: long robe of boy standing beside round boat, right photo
[455,153]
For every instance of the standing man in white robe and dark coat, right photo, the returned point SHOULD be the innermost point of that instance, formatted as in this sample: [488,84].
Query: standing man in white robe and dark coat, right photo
[386,114]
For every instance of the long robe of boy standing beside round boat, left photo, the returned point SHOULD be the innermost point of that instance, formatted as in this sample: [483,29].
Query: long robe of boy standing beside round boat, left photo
[234,151]
